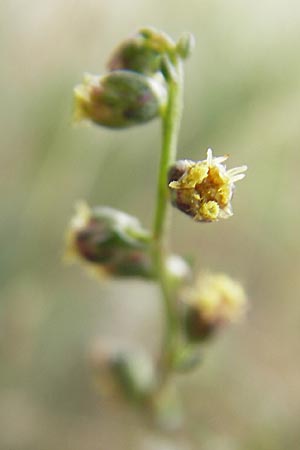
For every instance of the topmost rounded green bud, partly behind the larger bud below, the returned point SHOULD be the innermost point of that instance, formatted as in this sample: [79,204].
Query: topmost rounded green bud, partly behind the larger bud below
[142,52]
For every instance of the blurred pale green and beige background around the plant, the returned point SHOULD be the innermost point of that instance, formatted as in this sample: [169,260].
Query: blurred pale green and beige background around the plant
[242,97]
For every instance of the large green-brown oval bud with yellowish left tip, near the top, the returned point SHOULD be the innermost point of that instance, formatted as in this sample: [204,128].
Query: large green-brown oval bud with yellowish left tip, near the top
[119,99]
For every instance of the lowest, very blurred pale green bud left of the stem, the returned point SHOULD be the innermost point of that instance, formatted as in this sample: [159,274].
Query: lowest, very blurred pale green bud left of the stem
[123,372]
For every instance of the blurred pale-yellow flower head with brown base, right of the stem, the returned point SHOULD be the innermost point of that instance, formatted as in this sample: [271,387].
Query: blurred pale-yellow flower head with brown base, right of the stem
[214,301]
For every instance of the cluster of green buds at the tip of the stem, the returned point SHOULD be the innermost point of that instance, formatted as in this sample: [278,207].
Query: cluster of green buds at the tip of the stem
[134,90]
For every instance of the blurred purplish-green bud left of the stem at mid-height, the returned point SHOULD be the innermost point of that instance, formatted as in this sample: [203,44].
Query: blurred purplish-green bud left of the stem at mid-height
[109,240]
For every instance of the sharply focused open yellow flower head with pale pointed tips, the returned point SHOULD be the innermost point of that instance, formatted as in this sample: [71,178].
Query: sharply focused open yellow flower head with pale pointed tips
[204,189]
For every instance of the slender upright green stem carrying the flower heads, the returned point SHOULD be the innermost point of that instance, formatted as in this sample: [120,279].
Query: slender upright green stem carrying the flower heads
[170,129]
